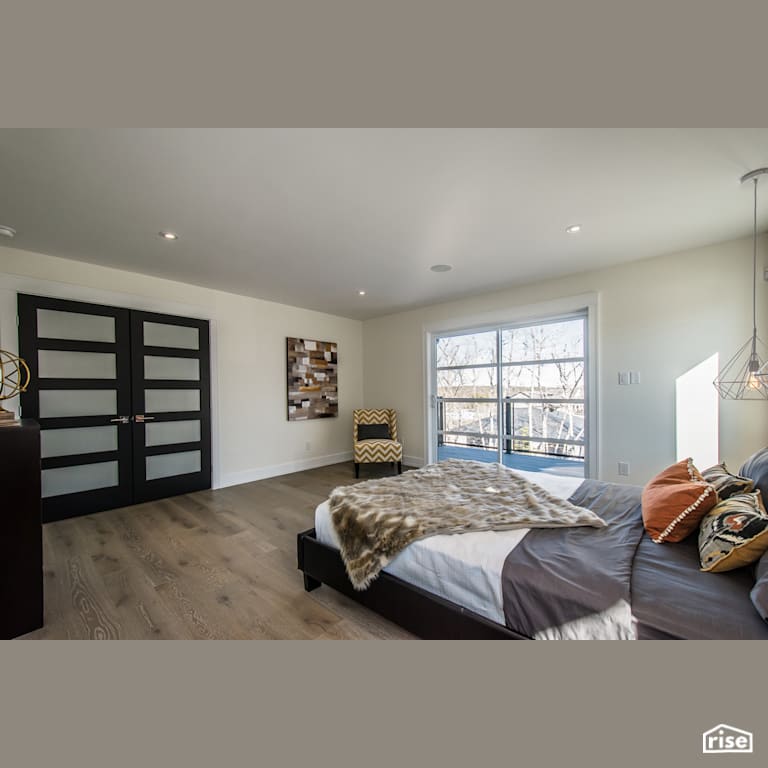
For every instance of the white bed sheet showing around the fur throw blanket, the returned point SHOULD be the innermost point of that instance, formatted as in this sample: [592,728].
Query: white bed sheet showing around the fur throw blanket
[464,568]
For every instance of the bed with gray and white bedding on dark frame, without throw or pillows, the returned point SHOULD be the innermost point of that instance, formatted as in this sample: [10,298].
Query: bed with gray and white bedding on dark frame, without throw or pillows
[576,583]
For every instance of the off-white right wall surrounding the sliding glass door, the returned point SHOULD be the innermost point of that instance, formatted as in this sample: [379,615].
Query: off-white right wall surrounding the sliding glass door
[658,316]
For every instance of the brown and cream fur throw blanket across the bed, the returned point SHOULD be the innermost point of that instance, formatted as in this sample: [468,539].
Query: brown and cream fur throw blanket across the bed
[375,520]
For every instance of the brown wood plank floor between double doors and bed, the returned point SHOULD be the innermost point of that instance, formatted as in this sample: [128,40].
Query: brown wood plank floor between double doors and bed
[214,564]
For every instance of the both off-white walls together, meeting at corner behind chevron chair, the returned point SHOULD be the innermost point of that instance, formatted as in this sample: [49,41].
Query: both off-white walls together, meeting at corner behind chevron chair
[660,316]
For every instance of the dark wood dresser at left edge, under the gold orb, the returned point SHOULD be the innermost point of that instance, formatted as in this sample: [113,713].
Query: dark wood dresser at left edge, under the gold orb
[21,532]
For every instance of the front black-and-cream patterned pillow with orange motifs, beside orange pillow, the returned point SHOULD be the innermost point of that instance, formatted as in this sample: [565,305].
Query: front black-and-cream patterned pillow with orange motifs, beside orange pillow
[734,533]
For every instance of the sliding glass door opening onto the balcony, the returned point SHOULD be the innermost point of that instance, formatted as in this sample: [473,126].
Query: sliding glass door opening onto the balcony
[514,394]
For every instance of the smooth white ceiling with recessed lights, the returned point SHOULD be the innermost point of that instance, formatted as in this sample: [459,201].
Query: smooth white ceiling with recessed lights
[311,216]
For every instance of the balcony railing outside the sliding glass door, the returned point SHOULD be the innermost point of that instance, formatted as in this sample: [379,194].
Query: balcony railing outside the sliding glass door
[512,440]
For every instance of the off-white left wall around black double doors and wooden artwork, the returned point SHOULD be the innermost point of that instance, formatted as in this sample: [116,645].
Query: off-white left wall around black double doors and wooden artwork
[252,437]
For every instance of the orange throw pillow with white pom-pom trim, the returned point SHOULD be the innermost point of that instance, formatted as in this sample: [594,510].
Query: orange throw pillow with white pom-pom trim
[675,501]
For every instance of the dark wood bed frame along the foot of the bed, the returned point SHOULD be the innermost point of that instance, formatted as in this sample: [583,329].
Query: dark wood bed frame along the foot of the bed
[426,615]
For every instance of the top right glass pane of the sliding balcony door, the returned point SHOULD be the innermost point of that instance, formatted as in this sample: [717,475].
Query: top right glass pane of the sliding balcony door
[547,341]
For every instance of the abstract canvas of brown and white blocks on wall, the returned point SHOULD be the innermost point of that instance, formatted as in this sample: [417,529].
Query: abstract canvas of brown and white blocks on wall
[312,379]
